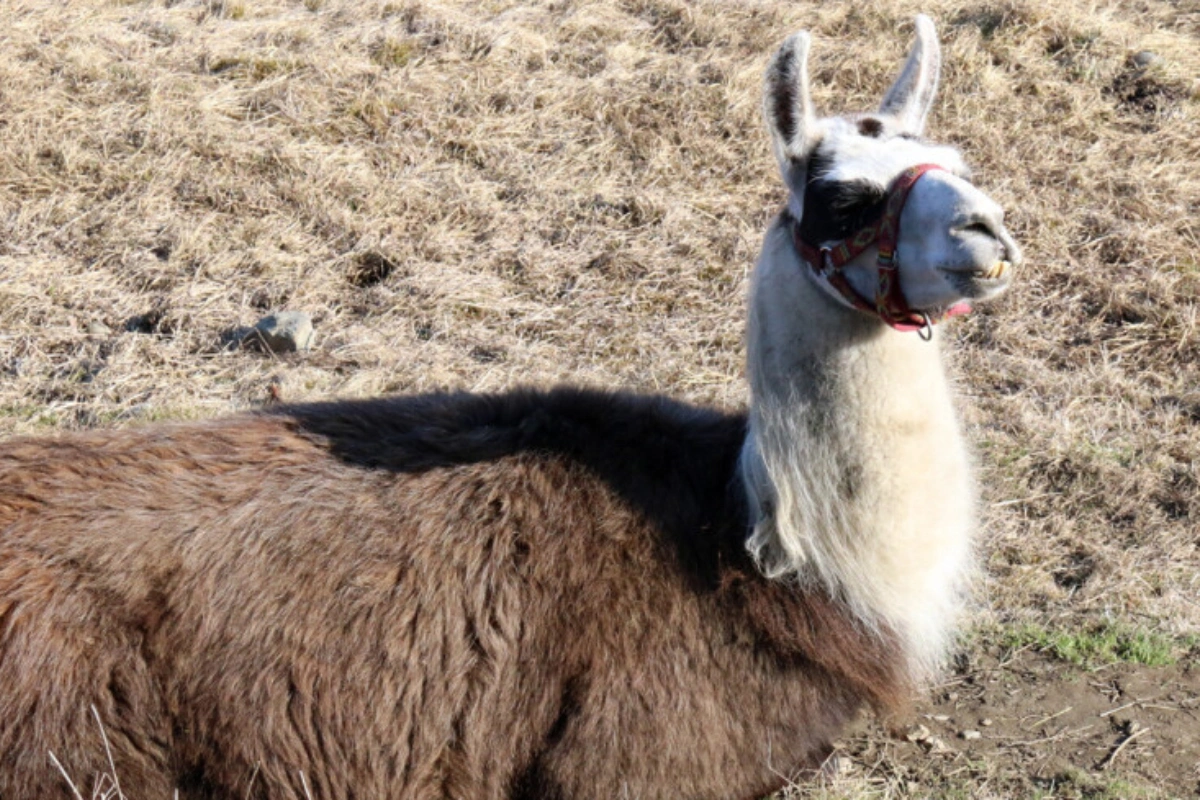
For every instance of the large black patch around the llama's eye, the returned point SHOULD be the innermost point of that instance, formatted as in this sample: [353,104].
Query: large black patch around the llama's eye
[835,210]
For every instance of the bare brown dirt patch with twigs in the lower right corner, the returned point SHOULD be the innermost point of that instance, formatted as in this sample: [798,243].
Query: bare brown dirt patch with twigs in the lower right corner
[1027,725]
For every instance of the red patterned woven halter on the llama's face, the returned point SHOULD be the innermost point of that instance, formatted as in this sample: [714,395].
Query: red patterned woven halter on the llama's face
[890,303]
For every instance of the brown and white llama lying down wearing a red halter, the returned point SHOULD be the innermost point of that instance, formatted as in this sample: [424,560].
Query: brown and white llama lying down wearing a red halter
[542,594]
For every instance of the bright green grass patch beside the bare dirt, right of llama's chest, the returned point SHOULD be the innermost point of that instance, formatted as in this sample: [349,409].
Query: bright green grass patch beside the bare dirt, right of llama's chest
[1103,645]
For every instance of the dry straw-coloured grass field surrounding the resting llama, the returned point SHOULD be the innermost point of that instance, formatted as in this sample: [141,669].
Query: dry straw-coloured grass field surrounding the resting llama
[494,194]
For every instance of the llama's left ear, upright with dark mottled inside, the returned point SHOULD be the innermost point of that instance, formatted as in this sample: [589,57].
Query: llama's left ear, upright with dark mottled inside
[789,109]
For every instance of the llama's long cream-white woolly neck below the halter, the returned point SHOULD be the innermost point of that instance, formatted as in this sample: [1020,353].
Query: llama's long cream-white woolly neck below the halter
[857,474]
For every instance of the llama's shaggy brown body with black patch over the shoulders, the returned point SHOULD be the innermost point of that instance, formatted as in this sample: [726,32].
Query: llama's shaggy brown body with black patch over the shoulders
[530,596]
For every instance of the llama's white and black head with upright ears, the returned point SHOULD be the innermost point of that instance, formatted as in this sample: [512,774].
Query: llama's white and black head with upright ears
[949,239]
